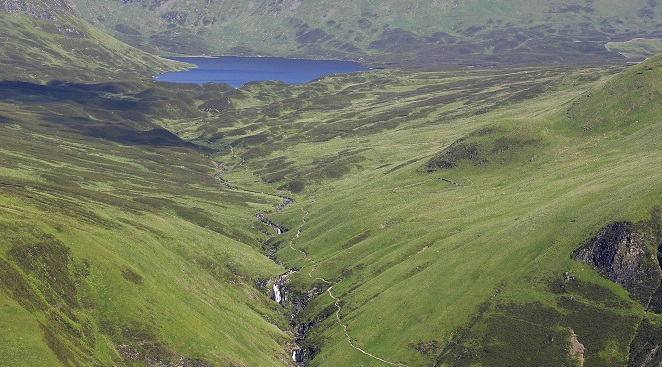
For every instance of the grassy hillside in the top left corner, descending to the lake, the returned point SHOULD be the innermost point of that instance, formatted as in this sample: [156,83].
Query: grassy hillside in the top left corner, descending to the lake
[43,40]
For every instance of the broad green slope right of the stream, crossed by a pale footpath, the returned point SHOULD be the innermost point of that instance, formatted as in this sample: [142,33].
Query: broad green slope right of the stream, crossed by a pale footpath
[469,264]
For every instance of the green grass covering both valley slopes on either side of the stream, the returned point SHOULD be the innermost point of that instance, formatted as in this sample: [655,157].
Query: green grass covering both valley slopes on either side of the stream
[152,235]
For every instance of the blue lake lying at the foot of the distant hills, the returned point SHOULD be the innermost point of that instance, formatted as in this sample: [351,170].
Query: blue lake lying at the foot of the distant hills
[237,71]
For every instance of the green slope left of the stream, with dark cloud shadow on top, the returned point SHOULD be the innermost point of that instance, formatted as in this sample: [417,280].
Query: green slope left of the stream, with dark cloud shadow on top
[119,245]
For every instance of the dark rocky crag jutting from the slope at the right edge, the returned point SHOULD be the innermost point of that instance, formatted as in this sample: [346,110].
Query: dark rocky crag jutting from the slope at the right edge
[625,253]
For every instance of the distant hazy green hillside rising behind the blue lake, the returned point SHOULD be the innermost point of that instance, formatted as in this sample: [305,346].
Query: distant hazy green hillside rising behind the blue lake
[384,32]
